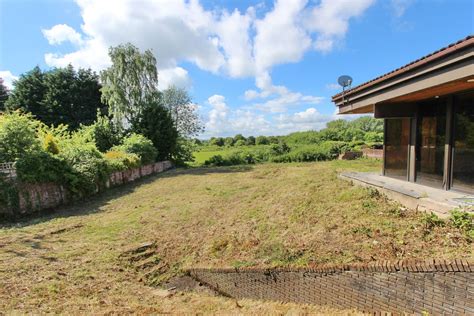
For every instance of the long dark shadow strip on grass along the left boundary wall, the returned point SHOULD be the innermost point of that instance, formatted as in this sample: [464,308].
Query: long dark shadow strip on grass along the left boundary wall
[95,203]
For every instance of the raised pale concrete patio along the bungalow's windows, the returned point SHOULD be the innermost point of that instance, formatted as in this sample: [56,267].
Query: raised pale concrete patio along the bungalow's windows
[412,195]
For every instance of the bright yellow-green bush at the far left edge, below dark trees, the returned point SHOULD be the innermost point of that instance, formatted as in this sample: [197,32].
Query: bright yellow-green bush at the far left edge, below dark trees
[17,135]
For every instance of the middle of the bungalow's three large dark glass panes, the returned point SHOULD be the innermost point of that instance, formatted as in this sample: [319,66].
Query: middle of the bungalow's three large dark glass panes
[431,133]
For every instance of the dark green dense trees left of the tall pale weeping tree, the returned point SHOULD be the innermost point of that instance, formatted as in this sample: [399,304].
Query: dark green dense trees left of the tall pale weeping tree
[58,96]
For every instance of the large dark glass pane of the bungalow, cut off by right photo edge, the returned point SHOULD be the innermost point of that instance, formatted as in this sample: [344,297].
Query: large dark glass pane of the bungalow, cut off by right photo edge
[463,157]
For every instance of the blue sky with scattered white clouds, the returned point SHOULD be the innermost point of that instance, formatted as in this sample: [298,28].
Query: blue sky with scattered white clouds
[253,67]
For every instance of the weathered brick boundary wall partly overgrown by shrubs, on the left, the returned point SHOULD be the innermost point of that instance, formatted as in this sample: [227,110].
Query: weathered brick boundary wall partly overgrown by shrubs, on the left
[40,196]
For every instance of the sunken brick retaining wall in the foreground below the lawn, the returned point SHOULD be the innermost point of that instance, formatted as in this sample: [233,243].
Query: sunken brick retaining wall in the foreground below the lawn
[434,286]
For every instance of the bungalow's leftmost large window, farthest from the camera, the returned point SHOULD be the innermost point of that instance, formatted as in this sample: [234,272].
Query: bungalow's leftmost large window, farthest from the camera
[397,136]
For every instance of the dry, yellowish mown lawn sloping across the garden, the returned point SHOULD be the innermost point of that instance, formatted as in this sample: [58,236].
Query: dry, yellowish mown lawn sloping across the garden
[262,215]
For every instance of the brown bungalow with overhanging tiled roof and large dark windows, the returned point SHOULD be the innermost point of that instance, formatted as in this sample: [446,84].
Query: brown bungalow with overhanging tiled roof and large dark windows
[428,110]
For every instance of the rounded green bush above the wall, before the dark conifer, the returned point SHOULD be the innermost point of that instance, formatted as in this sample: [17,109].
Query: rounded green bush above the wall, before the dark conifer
[139,145]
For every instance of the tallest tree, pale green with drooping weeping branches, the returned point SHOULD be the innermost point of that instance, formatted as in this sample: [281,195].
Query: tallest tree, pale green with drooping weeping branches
[130,84]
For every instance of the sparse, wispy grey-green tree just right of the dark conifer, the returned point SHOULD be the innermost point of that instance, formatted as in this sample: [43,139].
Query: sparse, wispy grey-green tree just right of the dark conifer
[183,111]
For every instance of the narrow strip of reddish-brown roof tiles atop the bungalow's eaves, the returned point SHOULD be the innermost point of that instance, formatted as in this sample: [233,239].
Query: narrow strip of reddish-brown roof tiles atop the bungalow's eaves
[469,40]
